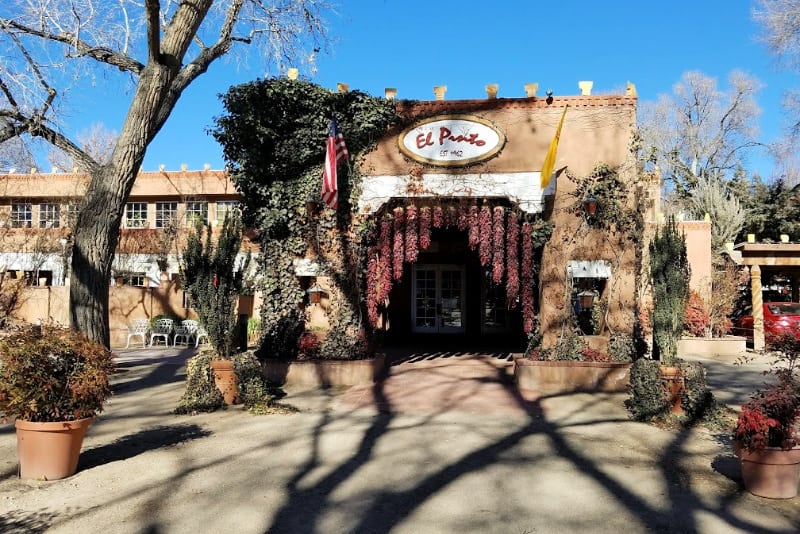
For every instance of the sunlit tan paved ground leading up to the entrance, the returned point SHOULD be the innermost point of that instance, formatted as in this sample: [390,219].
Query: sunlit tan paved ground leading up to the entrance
[444,458]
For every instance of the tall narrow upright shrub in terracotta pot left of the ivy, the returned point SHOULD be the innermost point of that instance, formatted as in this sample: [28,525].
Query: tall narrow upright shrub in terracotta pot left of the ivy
[213,277]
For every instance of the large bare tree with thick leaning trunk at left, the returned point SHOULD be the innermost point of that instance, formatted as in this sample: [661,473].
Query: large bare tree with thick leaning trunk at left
[161,47]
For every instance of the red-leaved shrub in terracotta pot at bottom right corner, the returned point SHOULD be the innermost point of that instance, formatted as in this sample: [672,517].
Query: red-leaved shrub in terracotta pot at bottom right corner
[767,431]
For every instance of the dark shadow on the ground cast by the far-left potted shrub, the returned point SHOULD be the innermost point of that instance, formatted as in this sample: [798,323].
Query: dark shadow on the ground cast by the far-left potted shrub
[140,442]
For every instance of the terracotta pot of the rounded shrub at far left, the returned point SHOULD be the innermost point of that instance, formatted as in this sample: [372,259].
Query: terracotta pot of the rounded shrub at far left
[50,451]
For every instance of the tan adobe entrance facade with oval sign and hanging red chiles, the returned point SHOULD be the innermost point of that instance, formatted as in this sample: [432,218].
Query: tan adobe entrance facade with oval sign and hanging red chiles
[483,159]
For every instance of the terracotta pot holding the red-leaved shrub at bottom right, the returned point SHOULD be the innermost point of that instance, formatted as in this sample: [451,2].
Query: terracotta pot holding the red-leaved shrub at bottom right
[773,472]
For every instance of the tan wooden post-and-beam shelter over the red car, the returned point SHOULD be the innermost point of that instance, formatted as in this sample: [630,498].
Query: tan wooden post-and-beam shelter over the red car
[763,261]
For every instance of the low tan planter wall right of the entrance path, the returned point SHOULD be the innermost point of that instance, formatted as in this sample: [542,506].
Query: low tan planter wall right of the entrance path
[555,377]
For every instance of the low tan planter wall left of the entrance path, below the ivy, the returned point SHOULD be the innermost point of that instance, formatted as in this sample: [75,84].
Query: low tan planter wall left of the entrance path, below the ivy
[319,373]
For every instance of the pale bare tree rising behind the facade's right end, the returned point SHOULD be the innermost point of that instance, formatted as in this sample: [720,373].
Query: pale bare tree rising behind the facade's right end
[700,130]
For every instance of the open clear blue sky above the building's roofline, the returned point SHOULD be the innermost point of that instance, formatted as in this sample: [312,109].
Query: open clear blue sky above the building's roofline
[414,45]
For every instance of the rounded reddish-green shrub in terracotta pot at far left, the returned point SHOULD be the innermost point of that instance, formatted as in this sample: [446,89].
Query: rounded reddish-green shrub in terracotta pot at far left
[53,382]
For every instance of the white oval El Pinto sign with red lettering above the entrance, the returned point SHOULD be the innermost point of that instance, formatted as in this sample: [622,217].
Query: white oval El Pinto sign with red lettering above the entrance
[451,140]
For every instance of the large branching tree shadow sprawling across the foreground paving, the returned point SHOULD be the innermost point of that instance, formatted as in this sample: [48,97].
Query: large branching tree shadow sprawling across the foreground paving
[680,509]
